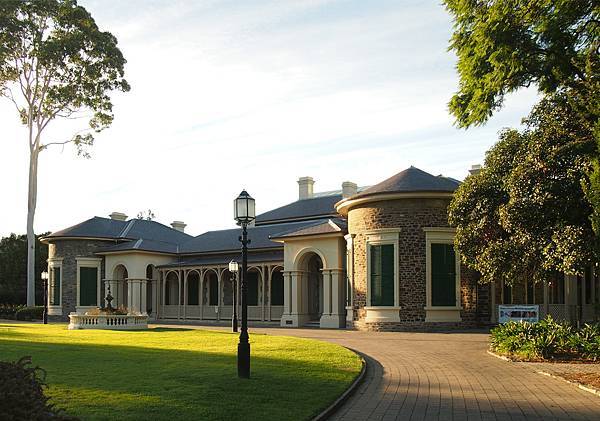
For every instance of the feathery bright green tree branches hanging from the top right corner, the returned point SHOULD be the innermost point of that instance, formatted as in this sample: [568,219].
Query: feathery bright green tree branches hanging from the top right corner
[503,45]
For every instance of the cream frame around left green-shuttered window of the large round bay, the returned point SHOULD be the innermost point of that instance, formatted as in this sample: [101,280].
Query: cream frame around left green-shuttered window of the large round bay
[380,237]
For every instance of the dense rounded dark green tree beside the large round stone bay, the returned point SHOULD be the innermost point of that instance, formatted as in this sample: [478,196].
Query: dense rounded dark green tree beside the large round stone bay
[525,214]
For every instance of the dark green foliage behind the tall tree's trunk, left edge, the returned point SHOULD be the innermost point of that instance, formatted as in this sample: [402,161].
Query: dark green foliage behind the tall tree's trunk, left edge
[13,269]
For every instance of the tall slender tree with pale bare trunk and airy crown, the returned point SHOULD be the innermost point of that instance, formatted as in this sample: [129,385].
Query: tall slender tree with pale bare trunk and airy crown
[55,63]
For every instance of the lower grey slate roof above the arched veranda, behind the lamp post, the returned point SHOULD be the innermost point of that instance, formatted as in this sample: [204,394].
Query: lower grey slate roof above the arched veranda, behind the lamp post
[225,240]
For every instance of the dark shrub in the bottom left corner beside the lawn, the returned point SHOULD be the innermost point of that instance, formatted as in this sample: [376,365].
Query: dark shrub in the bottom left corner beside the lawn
[22,393]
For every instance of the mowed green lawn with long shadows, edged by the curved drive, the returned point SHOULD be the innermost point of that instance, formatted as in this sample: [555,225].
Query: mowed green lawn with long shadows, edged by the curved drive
[181,374]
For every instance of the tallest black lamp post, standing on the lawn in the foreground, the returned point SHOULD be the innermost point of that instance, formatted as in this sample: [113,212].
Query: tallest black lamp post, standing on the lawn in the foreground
[244,214]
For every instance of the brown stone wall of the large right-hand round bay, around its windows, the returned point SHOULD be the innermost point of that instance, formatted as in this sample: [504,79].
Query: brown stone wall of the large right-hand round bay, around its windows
[410,216]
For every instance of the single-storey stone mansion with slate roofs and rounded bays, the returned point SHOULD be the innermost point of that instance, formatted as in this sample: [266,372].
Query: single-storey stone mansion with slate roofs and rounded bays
[376,258]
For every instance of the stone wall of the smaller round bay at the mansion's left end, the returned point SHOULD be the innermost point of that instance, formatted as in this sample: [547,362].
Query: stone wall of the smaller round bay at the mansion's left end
[69,250]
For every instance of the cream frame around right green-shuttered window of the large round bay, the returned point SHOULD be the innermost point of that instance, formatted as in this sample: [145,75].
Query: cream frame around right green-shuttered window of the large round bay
[441,235]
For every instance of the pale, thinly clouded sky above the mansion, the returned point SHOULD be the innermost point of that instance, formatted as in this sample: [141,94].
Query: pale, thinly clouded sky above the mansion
[230,95]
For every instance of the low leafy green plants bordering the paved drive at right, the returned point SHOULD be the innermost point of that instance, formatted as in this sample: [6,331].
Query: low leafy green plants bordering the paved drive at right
[546,339]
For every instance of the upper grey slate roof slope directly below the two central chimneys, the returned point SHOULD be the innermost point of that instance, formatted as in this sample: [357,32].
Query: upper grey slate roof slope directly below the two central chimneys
[315,207]
